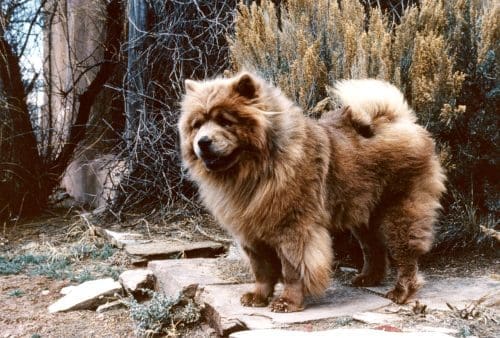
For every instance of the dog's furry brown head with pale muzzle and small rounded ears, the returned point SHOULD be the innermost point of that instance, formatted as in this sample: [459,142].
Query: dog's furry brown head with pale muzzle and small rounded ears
[223,122]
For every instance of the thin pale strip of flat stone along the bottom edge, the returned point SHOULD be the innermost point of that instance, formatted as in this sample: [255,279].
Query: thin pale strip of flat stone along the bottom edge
[337,333]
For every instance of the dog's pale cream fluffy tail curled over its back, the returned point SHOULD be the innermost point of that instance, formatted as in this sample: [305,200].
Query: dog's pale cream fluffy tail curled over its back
[370,103]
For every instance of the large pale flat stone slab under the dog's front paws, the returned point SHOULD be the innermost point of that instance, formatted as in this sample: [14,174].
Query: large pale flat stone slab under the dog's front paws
[222,297]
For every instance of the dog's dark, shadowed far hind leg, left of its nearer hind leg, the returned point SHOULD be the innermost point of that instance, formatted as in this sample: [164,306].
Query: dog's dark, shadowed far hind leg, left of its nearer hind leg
[372,243]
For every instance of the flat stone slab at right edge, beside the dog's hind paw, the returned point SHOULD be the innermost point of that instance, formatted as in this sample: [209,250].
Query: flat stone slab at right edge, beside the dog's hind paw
[457,291]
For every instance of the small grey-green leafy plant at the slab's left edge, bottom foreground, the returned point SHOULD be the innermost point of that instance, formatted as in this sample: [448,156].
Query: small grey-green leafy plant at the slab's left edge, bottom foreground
[162,313]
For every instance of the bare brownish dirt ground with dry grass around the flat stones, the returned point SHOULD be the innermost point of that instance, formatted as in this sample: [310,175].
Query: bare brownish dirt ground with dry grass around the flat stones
[25,296]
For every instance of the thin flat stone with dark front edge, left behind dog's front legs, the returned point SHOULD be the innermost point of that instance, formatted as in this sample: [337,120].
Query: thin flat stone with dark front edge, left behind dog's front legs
[169,249]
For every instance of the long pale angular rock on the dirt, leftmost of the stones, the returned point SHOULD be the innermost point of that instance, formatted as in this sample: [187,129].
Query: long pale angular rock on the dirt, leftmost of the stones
[87,295]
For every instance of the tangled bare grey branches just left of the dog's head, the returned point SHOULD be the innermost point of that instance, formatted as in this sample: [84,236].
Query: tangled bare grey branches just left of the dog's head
[182,39]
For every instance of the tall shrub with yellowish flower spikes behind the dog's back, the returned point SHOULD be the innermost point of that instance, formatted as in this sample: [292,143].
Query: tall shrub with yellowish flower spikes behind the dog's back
[442,54]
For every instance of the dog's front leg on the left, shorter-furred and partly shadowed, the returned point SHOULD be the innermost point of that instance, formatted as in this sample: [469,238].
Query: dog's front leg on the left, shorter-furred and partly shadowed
[266,267]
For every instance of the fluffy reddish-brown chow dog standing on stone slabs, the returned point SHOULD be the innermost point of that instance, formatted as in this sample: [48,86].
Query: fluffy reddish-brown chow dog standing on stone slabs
[281,182]
